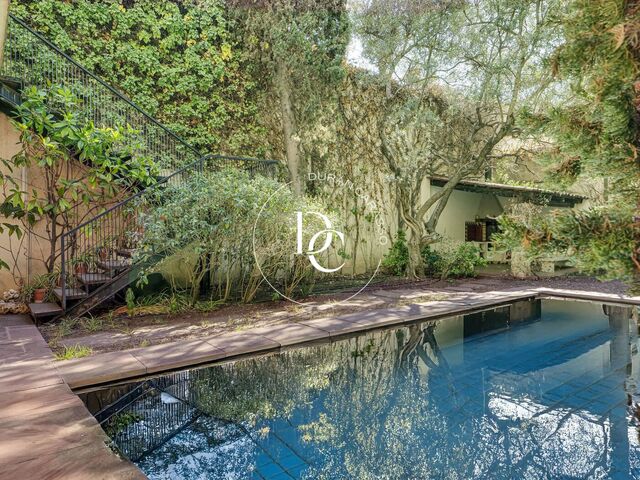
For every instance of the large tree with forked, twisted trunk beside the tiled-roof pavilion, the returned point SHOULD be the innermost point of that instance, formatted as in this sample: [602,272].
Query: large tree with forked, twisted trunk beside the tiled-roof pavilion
[457,75]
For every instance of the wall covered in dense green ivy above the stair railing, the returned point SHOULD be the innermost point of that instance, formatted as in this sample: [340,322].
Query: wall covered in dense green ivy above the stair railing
[179,60]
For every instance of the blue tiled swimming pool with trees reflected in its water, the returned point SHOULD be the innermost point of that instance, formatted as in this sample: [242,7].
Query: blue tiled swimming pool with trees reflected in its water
[532,390]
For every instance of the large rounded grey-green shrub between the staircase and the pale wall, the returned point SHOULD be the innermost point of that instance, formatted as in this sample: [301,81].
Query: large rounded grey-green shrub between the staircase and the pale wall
[208,224]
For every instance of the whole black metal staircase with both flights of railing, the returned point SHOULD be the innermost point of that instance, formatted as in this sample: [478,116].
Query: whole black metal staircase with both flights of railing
[97,258]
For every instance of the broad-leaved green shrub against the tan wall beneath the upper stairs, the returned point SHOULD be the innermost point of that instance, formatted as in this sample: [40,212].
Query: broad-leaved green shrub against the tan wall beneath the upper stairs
[78,169]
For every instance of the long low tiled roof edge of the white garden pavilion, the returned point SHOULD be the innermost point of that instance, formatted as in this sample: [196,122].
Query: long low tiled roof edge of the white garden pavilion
[539,196]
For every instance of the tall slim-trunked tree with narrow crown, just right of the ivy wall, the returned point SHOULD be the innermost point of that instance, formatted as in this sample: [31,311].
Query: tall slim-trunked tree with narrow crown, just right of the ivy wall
[298,49]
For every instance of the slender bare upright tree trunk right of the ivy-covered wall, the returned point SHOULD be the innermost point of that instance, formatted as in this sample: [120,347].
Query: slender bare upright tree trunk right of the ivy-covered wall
[289,128]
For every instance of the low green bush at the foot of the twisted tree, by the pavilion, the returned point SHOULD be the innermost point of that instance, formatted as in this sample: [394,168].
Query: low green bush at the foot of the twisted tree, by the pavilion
[452,260]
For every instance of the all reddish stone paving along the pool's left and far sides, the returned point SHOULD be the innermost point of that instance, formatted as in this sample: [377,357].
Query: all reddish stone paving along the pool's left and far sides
[49,434]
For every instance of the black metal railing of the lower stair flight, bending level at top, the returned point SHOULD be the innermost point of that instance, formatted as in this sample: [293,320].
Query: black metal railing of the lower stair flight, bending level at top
[103,248]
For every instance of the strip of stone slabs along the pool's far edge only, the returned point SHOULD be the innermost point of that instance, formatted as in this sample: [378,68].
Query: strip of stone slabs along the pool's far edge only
[138,362]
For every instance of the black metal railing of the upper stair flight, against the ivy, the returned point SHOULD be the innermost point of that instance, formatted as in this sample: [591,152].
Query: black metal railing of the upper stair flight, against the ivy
[35,61]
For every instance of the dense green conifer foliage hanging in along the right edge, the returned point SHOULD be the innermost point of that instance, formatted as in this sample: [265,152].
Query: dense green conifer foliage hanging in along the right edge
[597,136]
